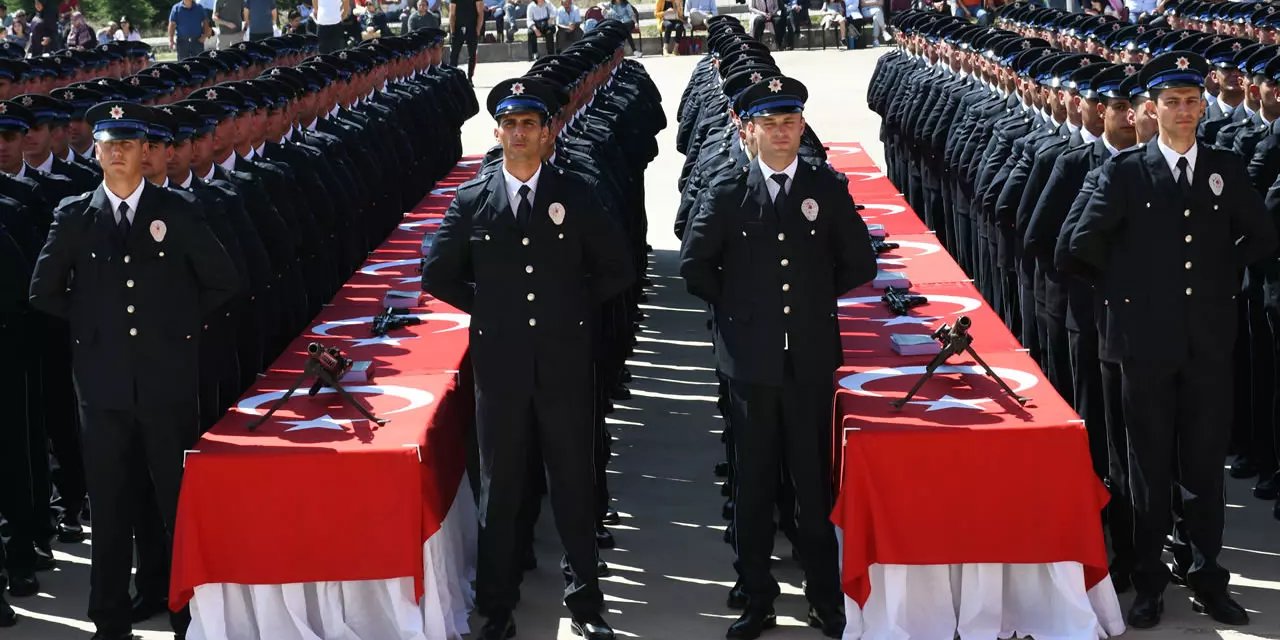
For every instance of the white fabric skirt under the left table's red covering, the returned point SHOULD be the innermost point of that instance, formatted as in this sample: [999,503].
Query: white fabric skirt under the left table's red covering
[364,610]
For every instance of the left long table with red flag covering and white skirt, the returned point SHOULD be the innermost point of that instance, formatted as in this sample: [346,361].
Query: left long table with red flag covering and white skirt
[321,523]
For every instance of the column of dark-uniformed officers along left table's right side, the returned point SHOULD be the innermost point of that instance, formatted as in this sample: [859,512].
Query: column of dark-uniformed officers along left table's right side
[545,249]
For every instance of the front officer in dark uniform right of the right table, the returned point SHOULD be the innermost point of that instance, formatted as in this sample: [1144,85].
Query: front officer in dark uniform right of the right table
[1169,284]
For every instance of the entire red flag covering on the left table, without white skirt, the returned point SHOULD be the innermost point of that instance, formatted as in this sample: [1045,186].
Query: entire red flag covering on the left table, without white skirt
[319,495]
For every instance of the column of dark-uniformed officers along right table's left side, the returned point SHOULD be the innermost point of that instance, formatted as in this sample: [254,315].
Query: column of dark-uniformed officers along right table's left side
[771,239]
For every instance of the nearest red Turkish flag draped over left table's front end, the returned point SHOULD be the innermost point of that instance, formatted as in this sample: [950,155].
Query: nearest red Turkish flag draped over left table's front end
[319,493]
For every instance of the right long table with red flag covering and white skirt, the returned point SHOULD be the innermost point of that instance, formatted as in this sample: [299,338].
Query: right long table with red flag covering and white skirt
[964,513]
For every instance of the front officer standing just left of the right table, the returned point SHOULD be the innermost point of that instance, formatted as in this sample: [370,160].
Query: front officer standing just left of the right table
[771,252]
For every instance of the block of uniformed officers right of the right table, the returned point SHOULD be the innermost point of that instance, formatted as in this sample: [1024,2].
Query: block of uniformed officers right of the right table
[1112,190]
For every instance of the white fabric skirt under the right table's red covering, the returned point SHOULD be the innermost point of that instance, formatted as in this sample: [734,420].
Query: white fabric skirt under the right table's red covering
[982,602]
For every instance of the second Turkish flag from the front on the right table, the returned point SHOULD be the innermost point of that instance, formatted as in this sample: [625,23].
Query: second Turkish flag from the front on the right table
[867,326]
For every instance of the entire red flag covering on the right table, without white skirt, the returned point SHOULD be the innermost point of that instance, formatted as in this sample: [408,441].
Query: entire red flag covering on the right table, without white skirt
[963,474]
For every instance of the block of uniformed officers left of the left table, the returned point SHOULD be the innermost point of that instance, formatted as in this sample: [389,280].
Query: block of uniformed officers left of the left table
[179,225]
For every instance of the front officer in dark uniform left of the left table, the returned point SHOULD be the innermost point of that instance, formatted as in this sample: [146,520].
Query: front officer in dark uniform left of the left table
[135,269]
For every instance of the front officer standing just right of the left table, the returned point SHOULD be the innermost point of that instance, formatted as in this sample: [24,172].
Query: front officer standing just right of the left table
[529,255]
